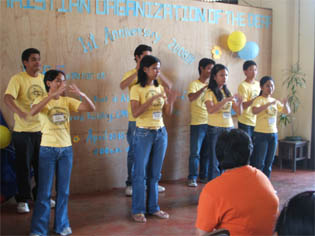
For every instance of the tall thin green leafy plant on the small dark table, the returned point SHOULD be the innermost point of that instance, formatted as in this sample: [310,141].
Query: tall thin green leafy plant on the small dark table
[295,79]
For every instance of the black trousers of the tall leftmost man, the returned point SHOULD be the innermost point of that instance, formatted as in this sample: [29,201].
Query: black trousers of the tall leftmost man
[26,146]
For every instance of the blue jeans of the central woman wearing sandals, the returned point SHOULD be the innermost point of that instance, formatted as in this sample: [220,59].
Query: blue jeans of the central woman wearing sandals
[149,152]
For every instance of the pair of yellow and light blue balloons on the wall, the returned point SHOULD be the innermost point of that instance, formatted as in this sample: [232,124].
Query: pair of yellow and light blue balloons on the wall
[245,50]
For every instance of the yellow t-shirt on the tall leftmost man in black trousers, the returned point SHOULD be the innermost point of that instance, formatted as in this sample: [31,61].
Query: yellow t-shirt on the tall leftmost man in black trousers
[25,88]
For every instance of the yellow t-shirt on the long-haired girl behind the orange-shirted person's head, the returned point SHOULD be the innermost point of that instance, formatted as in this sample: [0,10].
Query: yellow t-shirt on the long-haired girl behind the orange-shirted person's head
[223,117]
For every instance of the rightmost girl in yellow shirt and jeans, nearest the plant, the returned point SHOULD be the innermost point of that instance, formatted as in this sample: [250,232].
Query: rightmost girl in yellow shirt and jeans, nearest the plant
[265,135]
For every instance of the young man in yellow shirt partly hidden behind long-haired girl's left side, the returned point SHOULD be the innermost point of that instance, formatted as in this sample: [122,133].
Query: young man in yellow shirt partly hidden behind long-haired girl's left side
[198,124]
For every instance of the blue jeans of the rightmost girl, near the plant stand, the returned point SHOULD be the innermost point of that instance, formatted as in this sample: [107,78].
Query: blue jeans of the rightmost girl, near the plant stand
[265,145]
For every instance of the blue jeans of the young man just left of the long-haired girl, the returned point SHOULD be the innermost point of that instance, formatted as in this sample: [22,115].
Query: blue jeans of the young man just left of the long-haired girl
[198,152]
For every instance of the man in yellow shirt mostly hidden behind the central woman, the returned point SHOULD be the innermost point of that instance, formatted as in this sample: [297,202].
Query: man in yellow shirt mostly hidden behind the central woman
[129,80]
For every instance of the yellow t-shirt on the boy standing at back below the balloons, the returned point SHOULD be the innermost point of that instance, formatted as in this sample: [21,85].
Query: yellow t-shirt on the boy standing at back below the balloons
[248,91]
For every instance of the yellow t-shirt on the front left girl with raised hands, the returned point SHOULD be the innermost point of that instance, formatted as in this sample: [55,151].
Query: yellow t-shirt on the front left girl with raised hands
[54,120]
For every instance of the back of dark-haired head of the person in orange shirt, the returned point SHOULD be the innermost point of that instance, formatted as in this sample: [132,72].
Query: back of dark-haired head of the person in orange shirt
[233,149]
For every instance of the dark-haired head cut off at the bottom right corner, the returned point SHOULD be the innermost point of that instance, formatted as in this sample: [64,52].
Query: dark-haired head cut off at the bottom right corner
[298,216]
